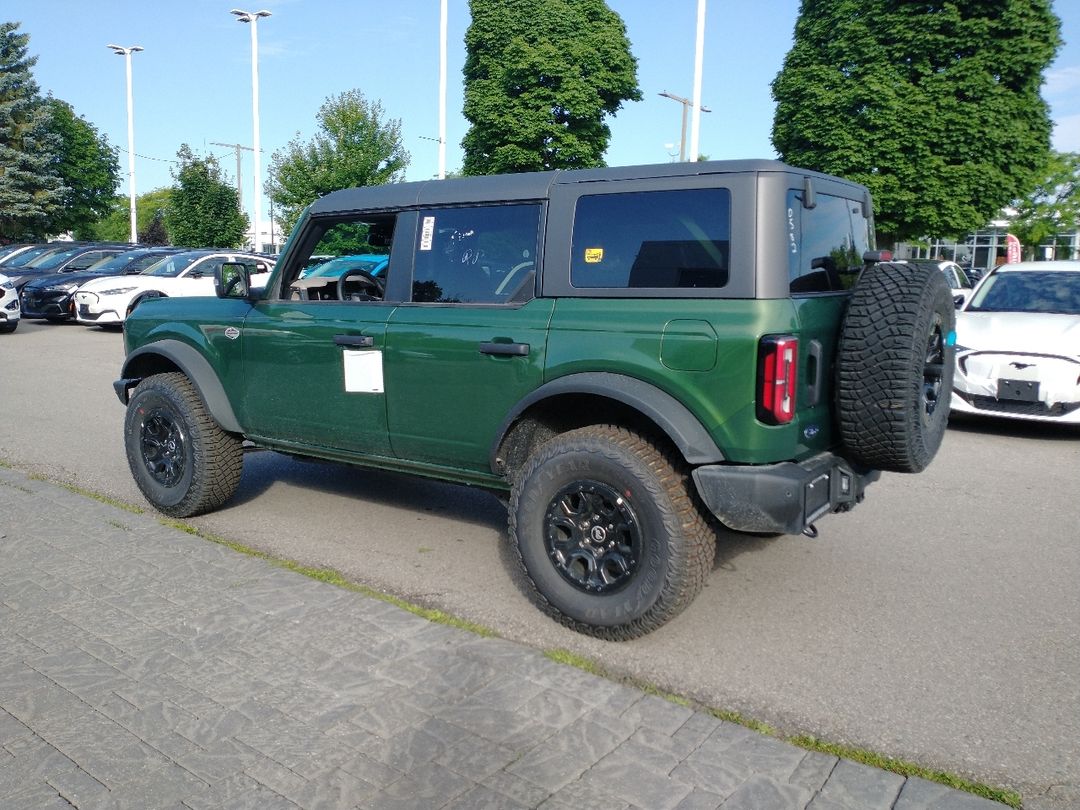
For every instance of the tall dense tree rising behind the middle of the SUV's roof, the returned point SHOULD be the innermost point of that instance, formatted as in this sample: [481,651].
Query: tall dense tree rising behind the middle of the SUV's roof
[542,76]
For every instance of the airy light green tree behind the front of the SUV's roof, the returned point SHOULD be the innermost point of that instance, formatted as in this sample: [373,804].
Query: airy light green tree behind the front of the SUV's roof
[356,146]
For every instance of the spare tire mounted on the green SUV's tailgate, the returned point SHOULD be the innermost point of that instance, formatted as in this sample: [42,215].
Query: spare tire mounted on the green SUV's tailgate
[895,368]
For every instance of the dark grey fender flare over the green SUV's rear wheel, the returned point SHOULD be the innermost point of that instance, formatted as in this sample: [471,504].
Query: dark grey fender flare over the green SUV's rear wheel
[694,442]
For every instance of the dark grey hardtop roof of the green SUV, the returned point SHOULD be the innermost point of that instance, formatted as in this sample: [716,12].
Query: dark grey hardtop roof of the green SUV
[529,185]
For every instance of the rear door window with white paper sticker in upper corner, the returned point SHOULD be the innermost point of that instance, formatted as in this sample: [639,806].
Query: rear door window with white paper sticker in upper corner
[483,254]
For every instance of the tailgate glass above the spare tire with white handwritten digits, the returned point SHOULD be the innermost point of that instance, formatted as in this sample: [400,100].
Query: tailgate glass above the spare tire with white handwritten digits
[826,245]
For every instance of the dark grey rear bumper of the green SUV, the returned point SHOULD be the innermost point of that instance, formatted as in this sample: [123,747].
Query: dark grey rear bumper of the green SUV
[784,498]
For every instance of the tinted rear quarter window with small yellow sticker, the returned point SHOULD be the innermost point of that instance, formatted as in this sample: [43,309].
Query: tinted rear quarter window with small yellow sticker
[653,240]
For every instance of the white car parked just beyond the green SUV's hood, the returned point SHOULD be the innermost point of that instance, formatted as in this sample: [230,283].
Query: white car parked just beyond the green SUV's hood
[109,301]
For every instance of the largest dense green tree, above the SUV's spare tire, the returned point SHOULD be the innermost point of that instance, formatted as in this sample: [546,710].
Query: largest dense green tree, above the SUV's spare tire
[936,106]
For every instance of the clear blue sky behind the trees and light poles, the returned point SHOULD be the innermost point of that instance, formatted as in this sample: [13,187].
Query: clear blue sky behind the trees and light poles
[193,83]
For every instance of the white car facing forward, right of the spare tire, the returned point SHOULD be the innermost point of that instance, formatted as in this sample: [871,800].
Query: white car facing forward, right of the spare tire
[1018,344]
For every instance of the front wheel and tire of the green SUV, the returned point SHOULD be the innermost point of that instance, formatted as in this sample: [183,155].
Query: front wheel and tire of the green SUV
[182,461]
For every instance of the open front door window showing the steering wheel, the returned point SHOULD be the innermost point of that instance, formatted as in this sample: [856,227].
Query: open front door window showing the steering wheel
[347,263]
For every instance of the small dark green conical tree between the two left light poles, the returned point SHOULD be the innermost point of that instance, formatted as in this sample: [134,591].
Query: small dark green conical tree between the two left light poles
[205,209]
